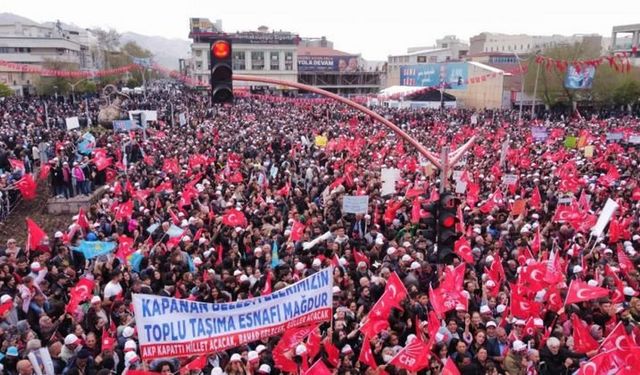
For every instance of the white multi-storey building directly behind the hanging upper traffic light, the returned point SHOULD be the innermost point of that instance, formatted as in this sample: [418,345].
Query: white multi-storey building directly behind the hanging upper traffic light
[255,53]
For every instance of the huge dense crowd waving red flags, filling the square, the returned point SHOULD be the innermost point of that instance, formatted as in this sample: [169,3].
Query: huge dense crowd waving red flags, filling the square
[260,157]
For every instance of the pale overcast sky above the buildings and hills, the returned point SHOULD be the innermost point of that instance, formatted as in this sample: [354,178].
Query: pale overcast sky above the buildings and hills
[374,29]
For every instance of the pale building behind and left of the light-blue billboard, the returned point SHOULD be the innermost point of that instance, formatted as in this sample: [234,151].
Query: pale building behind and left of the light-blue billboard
[446,49]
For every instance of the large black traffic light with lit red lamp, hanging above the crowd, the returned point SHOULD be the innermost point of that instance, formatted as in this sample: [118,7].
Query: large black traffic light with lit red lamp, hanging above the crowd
[221,71]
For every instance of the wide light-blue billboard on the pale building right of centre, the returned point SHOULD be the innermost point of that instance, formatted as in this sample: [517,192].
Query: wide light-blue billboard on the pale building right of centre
[452,75]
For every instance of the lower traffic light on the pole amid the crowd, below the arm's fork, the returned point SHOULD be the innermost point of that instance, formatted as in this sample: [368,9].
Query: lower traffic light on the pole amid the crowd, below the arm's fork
[447,220]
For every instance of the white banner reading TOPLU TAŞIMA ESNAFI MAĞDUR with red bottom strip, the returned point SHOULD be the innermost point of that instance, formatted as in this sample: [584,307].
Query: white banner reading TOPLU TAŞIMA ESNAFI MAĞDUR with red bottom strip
[171,327]
